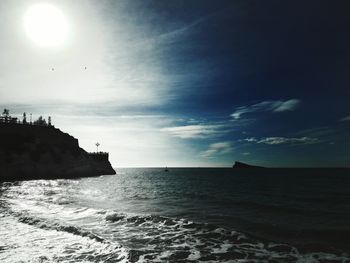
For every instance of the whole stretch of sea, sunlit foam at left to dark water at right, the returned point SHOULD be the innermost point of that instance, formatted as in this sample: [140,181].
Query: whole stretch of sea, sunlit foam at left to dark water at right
[184,215]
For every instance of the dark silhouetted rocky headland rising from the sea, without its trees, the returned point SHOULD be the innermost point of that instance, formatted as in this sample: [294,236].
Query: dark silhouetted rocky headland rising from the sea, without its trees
[33,152]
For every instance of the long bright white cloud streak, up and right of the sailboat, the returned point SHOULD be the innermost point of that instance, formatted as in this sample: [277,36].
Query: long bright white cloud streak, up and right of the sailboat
[194,131]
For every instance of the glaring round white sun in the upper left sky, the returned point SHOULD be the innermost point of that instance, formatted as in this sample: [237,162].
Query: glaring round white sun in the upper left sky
[45,25]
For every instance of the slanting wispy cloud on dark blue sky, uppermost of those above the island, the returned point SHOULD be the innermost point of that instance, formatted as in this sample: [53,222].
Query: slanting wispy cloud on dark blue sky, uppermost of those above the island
[265,106]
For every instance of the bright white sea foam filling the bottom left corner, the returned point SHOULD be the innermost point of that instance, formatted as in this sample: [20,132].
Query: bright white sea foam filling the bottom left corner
[21,242]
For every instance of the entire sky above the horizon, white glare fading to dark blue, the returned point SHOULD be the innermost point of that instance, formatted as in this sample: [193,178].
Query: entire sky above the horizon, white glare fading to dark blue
[185,82]
